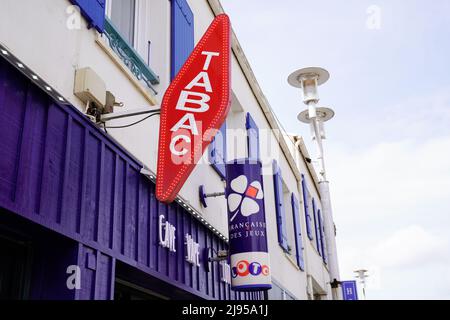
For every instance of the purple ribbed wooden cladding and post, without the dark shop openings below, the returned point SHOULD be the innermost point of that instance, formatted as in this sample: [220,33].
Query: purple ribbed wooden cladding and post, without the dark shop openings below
[60,171]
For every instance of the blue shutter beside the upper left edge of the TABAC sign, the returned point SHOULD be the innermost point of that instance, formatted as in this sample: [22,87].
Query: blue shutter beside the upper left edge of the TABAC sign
[182,35]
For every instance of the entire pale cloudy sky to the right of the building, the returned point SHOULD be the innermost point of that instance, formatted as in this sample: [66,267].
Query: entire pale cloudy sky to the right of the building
[388,153]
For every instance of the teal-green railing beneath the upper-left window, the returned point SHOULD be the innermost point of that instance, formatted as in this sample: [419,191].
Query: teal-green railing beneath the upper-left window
[130,57]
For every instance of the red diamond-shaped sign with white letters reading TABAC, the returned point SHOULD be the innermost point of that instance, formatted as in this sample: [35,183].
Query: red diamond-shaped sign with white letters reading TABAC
[194,107]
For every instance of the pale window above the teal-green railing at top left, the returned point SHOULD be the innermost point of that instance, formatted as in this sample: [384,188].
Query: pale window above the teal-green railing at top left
[123,13]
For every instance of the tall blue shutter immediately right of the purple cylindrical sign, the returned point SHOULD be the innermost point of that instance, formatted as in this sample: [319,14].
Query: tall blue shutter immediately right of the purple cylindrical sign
[279,206]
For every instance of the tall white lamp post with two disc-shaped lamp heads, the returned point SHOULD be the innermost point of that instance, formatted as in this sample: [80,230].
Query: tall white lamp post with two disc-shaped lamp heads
[308,79]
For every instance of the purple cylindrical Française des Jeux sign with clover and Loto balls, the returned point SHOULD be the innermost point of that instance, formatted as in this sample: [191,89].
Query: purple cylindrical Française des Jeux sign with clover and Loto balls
[250,268]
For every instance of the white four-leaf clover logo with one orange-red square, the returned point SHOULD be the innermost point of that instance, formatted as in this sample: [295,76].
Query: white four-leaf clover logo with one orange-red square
[243,197]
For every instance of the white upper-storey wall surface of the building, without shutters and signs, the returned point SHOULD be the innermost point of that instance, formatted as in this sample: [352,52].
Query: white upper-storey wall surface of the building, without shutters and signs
[42,40]
